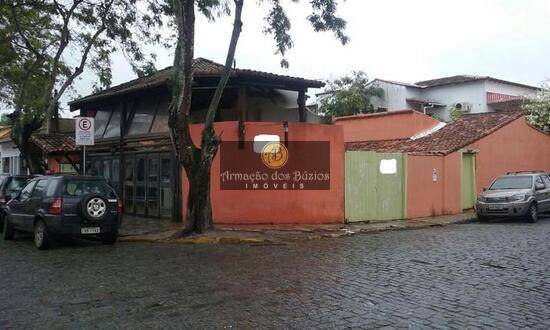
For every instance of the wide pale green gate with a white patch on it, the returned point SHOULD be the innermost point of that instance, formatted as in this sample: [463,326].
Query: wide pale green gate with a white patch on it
[370,193]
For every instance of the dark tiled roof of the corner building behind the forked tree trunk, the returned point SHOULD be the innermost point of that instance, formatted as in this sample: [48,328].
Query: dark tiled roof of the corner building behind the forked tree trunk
[202,68]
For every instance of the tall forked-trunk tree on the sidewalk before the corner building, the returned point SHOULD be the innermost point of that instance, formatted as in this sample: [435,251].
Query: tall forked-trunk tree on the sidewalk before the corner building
[197,159]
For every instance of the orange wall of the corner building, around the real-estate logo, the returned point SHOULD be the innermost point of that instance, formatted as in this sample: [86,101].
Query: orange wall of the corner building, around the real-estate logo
[279,206]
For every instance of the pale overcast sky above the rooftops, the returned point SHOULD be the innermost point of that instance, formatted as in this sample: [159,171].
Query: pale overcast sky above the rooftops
[393,39]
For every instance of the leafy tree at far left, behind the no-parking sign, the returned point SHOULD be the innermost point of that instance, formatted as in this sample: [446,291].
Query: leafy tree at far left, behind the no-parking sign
[47,44]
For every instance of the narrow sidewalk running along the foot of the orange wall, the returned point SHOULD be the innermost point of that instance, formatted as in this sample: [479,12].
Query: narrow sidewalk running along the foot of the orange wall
[163,231]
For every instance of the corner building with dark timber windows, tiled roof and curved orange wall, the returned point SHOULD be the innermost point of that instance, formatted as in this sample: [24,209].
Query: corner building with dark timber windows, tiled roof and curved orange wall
[133,149]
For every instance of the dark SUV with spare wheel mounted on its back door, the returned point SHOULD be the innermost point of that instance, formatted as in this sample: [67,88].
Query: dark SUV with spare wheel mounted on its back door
[64,205]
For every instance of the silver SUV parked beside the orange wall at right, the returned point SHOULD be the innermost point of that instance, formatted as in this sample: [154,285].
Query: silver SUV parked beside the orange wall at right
[517,194]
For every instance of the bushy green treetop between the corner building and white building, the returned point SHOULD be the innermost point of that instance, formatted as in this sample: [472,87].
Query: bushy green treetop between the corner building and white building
[349,95]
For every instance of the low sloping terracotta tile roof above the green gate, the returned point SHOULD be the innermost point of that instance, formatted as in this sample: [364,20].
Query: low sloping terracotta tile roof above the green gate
[454,136]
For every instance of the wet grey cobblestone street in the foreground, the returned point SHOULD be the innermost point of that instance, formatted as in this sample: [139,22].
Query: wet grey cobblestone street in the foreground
[467,275]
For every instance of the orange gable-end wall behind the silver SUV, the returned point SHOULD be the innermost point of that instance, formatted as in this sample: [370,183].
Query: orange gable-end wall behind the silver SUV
[515,147]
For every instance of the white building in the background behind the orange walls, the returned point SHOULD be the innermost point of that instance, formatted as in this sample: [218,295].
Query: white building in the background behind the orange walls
[437,97]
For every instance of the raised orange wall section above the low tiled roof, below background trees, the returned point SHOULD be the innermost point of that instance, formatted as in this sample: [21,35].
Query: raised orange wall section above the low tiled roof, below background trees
[384,126]
